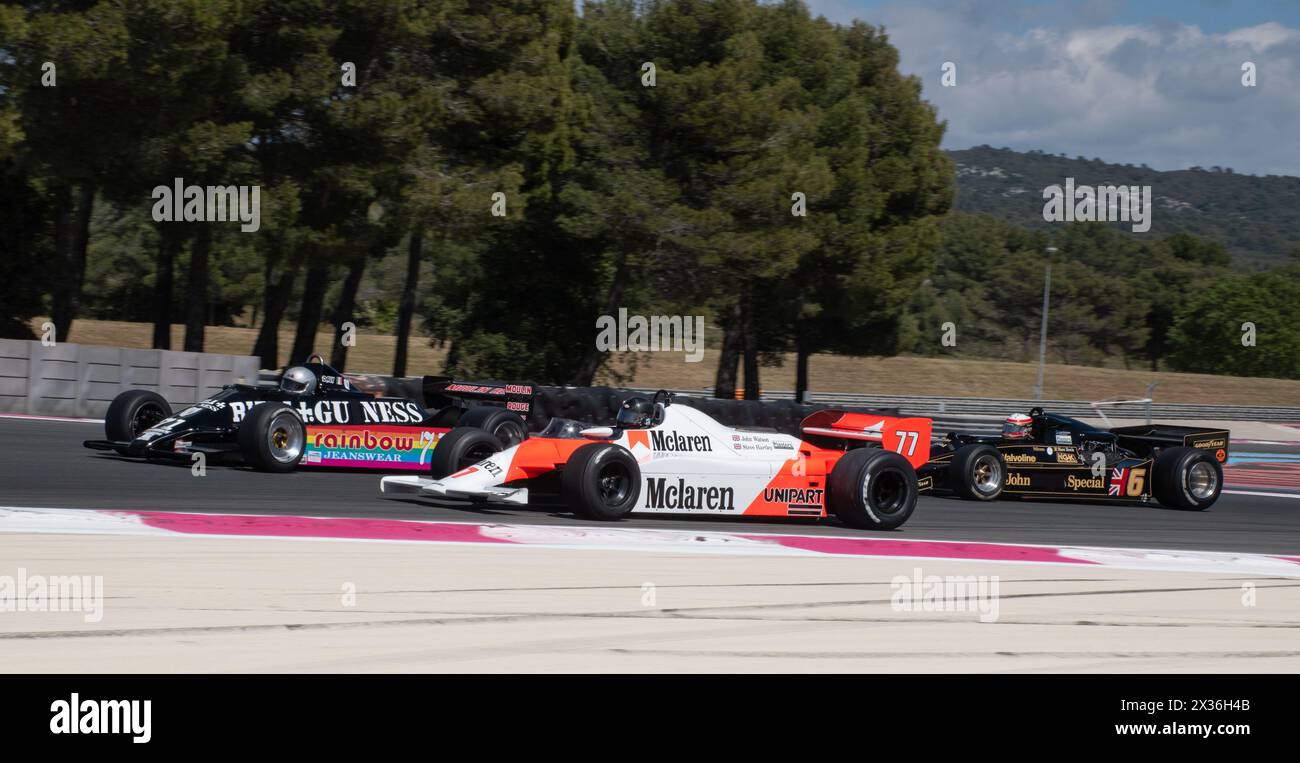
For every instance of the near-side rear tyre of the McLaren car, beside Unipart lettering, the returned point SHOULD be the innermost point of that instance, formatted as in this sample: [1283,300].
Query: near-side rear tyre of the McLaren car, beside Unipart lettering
[873,489]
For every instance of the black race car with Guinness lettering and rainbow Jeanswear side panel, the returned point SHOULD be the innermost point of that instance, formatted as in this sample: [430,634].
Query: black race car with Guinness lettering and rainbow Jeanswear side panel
[315,418]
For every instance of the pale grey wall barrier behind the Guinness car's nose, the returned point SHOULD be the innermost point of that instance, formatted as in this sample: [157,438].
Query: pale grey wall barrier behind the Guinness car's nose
[83,380]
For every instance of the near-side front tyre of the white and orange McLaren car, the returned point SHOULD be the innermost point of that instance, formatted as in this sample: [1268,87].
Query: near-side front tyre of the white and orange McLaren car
[601,482]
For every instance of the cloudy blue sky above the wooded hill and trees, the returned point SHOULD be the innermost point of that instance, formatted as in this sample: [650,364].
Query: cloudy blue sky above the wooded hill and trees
[1154,83]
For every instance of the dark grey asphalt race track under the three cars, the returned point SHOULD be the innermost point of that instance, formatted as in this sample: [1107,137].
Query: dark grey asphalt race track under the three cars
[44,465]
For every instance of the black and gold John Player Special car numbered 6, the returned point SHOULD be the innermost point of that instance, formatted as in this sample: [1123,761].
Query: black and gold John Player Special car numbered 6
[1047,456]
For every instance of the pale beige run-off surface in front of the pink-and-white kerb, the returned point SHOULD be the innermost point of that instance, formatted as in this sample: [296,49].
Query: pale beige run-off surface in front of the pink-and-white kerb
[257,605]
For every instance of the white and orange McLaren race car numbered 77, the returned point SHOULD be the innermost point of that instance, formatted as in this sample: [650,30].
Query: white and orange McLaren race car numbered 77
[675,459]
